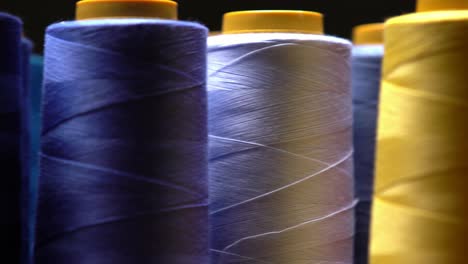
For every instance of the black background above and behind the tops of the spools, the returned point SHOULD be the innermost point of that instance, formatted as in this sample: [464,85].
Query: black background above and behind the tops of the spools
[340,15]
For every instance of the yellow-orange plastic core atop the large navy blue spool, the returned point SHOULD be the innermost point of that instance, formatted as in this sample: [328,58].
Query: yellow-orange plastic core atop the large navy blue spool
[92,9]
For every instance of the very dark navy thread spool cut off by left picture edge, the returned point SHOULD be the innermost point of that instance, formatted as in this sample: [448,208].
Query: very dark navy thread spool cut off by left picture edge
[10,85]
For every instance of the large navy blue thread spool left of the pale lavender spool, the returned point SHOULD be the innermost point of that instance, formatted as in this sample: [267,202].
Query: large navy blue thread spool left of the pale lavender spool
[124,141]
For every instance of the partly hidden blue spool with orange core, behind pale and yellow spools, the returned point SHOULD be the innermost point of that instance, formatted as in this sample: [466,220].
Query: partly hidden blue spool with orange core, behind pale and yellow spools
[366,71]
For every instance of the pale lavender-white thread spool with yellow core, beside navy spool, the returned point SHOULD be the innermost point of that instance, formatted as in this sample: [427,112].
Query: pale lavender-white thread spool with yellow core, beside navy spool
[280,120]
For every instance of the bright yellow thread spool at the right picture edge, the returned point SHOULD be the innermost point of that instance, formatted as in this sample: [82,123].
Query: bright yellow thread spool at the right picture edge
[420,210]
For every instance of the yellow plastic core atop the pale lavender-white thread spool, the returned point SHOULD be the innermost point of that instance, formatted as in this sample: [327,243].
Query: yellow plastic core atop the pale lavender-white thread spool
[273,21]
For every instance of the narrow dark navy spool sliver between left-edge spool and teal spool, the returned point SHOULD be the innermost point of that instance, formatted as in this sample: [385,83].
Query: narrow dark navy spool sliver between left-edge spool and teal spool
[25,101]
